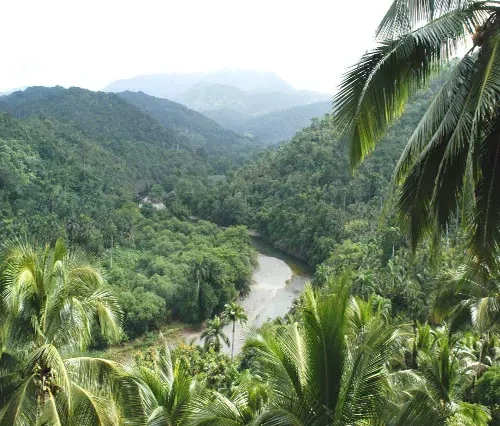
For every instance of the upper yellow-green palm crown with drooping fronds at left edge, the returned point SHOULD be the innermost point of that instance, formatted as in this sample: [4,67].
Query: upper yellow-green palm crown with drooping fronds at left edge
[52,296]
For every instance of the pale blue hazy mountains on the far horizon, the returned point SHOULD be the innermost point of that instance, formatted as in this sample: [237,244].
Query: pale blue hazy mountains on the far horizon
[252,103]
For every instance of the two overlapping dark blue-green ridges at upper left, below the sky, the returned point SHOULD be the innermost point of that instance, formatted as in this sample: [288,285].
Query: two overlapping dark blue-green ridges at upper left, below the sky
[128,117]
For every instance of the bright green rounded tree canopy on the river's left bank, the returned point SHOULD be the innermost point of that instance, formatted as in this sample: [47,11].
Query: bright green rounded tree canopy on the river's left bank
[176,269]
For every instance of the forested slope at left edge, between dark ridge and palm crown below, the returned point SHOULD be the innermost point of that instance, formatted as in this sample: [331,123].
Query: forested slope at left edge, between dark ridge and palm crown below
[63,177]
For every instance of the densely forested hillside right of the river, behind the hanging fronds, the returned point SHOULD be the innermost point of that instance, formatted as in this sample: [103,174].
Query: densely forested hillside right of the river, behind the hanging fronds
[303,197]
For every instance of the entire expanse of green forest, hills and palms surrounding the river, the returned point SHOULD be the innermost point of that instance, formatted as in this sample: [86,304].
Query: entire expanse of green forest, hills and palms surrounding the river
[124,215]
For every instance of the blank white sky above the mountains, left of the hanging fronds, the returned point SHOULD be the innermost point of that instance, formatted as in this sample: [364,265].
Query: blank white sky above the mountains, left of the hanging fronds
[93,42]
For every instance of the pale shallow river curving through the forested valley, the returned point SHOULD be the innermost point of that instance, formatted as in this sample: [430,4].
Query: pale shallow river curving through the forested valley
[277,281]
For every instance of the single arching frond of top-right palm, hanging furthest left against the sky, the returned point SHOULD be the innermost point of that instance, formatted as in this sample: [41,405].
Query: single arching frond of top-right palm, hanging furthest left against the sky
[374,93]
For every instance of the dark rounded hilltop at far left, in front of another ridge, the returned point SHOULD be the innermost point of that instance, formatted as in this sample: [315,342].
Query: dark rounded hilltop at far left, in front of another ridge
[101,116]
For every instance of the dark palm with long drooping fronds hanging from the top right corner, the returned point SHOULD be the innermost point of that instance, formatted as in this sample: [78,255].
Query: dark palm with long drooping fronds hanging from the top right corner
[453,156]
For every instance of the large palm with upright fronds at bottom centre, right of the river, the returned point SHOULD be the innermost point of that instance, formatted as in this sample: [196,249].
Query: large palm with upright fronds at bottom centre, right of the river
[332,368]
